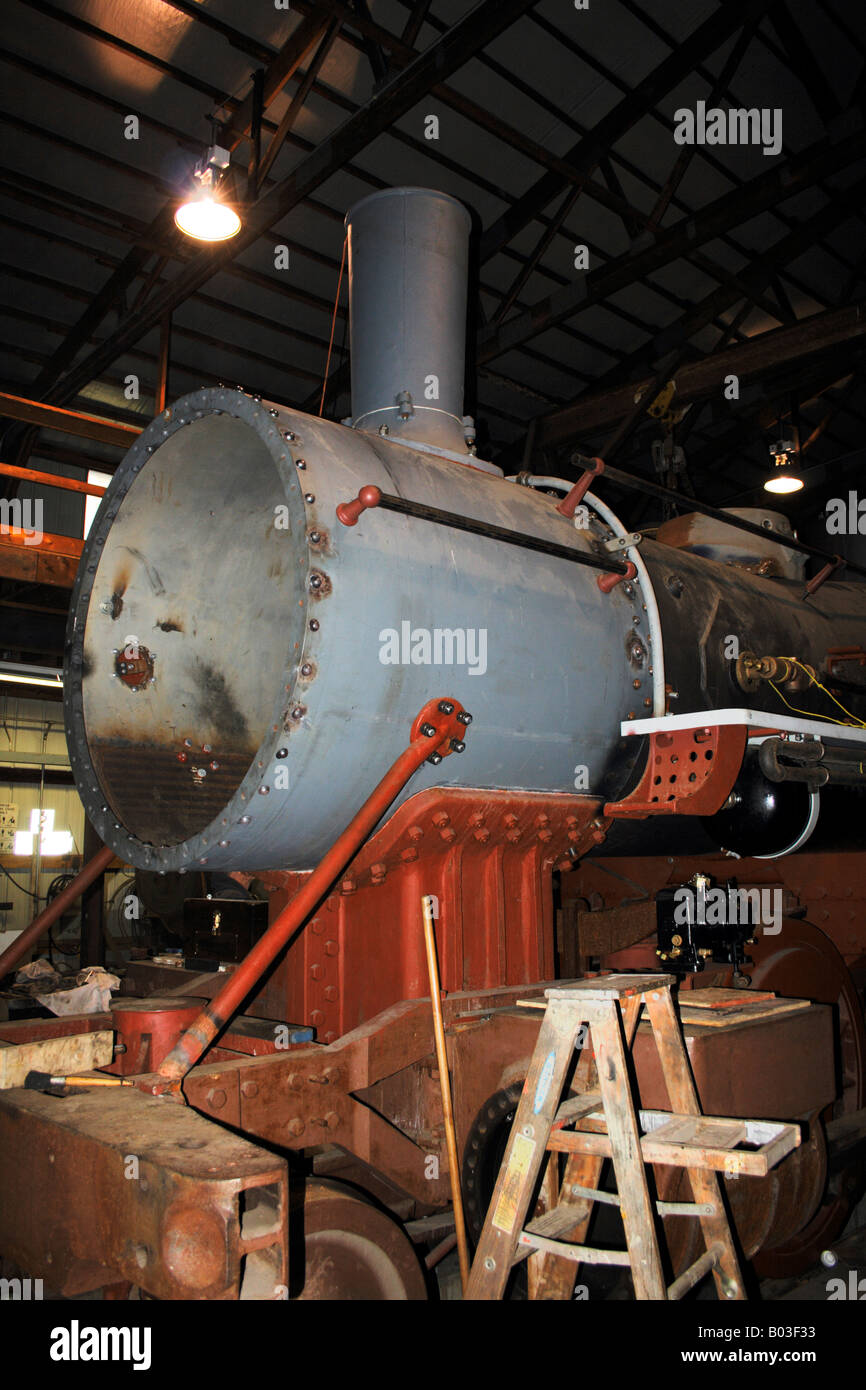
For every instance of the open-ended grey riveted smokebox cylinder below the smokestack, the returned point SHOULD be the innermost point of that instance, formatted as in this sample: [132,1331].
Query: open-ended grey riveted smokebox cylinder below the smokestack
[291,654]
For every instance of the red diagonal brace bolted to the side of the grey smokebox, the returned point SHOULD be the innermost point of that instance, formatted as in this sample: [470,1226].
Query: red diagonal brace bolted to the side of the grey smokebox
[446,722]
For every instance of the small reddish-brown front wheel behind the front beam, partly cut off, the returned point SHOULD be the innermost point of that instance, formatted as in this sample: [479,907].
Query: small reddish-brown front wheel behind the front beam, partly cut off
[347,1249]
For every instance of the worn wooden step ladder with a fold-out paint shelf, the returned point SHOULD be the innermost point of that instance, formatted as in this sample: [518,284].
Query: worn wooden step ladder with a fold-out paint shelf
[608,1127]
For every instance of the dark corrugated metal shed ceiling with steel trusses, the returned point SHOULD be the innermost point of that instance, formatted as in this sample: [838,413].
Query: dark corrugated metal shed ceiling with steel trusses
[557,129]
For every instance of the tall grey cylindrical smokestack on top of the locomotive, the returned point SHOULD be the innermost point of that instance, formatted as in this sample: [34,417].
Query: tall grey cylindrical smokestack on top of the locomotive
[408,283]
